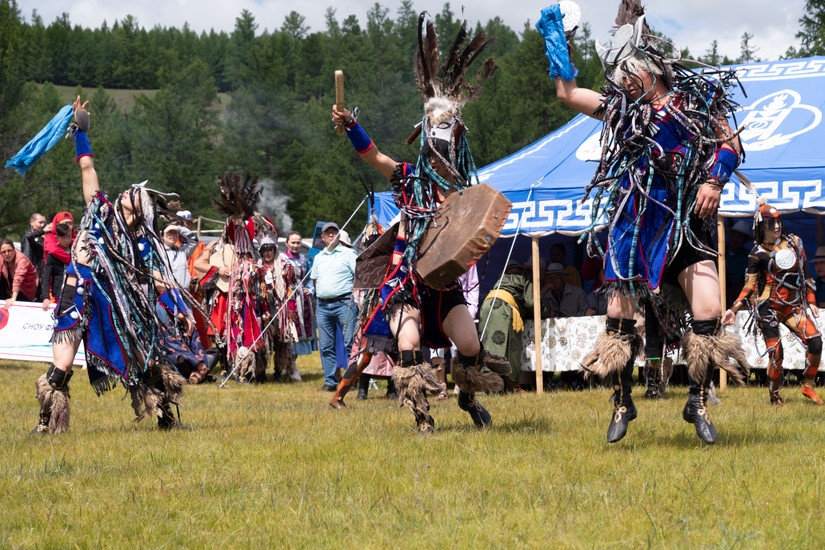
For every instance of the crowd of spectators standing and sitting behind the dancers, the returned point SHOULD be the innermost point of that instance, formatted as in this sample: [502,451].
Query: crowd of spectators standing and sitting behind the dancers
[318,296]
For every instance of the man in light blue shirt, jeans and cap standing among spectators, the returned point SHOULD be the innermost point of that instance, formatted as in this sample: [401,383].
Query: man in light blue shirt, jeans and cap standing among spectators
[333,271]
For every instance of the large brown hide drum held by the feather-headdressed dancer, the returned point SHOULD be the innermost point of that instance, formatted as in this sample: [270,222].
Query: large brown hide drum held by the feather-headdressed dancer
[466,226]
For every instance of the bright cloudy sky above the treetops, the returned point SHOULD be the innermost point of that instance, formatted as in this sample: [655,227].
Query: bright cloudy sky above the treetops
[691,23]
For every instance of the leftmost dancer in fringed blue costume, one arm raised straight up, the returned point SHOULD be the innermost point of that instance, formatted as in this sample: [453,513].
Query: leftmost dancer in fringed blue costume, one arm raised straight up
[118,273]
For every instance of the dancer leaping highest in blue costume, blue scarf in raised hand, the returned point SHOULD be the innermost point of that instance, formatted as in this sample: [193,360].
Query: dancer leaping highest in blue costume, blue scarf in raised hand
[667,153]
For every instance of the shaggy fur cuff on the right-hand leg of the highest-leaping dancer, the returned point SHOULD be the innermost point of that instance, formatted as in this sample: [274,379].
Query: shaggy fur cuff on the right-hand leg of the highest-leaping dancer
[705,352]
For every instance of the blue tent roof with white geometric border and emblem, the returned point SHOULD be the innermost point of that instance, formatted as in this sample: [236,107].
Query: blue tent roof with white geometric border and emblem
[783,136]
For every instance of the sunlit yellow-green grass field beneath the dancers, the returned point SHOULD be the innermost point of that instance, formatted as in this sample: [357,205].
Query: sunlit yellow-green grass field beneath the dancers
[274,466]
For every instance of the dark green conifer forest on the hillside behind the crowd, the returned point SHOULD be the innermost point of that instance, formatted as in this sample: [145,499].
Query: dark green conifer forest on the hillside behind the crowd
[276,120]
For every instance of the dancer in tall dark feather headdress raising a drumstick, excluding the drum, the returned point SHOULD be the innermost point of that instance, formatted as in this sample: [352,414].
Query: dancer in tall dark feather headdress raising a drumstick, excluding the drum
[444,166]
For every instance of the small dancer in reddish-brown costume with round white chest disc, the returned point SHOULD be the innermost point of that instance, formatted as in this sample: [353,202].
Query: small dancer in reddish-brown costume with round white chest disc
[779,288]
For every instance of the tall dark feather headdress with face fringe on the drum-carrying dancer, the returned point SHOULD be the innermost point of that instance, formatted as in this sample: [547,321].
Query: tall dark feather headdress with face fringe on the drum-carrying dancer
[445,92]
